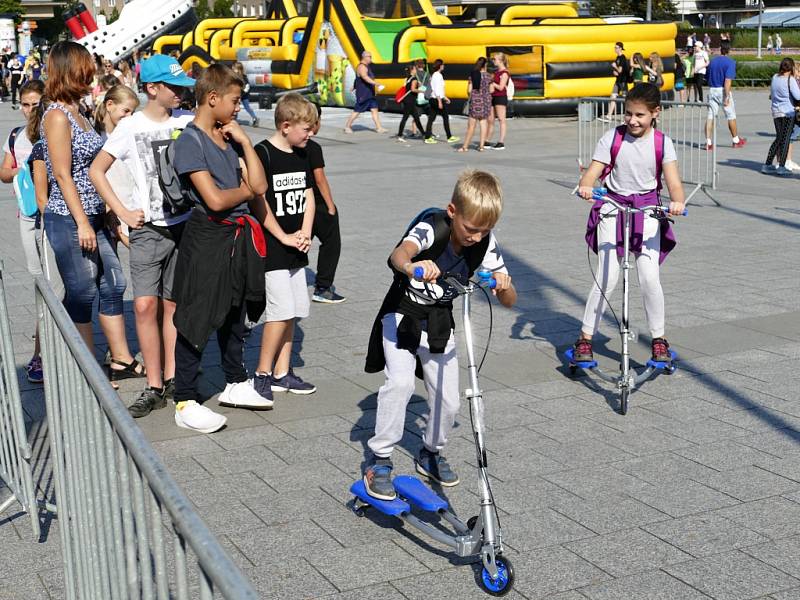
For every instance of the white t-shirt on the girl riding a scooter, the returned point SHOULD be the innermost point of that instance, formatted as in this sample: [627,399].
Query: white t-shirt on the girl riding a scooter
[634,170]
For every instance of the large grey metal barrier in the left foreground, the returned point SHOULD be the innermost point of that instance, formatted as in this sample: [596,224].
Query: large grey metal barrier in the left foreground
[127,530]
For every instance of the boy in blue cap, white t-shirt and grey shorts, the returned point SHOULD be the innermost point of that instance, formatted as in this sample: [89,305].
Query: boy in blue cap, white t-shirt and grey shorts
[155,230]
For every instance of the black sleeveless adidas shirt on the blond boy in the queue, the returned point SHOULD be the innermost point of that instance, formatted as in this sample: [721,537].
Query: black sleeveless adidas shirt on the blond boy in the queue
[288,178]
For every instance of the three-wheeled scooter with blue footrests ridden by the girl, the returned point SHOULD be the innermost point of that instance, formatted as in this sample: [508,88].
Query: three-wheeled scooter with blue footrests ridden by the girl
[628,379]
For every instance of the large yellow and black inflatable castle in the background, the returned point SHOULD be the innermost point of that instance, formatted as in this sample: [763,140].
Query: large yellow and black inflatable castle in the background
[555,56]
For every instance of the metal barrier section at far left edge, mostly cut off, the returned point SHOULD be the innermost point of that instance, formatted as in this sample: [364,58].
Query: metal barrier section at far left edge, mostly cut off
[15,451]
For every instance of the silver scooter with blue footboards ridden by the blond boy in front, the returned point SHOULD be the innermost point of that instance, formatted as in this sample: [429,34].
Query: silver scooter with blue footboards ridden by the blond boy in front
[481,534]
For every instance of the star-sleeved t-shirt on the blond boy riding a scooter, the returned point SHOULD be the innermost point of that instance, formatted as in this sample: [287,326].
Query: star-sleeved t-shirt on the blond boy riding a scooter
[422,236]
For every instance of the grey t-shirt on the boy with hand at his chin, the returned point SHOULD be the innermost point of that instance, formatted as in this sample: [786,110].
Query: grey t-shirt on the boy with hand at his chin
[198,152]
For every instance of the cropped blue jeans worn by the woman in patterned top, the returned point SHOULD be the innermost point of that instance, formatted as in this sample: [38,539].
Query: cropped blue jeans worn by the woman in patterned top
[86,273]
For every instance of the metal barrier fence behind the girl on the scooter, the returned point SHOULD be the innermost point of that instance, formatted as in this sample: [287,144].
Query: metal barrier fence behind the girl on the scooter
[683,122]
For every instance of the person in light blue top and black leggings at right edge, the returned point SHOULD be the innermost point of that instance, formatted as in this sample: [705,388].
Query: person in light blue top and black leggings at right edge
[785,94]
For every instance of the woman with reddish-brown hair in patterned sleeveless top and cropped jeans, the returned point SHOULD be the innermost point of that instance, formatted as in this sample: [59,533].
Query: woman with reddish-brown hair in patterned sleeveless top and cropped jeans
[75,216]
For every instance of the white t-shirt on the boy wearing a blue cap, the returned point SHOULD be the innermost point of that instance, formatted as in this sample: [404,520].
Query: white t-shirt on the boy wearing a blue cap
[137,142]
